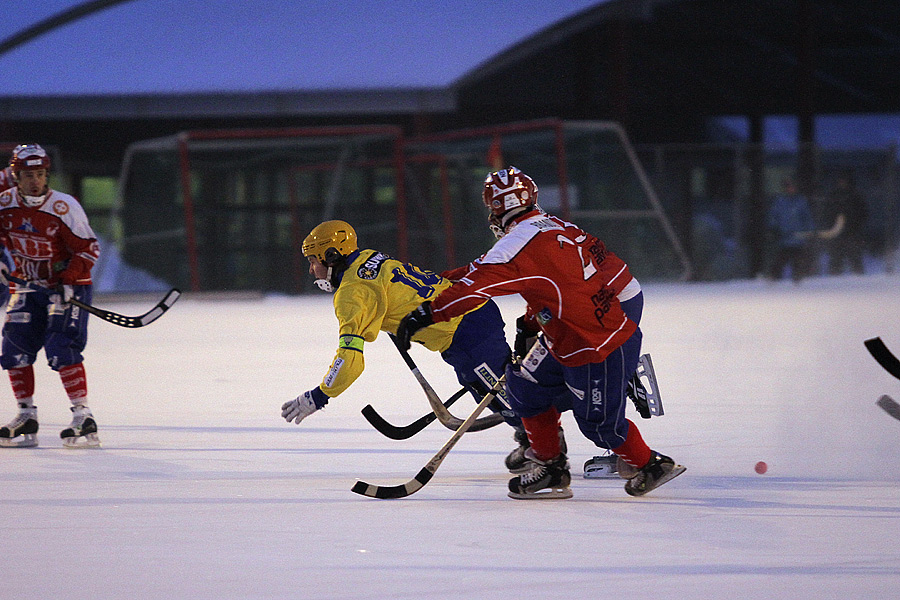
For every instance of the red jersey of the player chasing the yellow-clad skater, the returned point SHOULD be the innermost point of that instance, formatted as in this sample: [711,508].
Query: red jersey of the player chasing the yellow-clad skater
[568,278]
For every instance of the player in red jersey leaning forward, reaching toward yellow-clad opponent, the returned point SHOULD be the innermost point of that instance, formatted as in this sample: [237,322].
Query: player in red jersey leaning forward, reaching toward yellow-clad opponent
[586,306]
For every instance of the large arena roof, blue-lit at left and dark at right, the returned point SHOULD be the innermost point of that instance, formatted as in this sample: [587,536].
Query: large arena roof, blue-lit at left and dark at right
[655,65]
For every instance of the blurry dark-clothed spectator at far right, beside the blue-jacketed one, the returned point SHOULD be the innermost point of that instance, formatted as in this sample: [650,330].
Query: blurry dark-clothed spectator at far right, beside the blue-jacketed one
[845,245]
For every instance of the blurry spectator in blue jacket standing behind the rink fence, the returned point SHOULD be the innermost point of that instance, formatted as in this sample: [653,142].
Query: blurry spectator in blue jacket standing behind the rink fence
[791,225]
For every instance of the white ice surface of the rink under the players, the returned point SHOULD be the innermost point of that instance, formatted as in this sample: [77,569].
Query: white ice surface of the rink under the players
[201,490]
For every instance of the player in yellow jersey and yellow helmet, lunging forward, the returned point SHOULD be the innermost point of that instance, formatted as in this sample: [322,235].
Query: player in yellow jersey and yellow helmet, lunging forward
[372,293]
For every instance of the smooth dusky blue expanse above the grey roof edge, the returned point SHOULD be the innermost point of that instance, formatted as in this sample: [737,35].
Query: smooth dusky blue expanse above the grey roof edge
[173,46]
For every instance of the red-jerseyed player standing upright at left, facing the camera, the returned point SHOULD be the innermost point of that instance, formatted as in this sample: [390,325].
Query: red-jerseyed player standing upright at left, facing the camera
[52,245]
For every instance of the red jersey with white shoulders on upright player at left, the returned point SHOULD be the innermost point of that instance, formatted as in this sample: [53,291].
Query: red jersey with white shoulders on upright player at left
[50,244]
